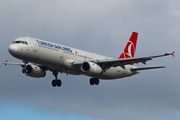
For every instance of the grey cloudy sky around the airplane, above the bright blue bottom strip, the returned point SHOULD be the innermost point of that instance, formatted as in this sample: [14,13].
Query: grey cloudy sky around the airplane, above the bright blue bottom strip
[101,26]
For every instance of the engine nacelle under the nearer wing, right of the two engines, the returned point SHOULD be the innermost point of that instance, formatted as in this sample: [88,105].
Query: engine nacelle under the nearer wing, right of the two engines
[91,68]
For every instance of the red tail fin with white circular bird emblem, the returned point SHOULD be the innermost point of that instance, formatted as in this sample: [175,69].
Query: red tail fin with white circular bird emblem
[130,48]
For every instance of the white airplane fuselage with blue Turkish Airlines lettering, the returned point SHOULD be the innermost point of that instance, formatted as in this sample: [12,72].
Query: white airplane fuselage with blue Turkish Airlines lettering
[61,58]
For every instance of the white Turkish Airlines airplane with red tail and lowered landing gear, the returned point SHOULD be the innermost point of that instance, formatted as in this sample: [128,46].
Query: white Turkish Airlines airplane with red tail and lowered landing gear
[39,56]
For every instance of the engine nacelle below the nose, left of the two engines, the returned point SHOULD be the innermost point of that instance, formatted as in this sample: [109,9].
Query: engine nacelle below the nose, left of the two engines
[35,71]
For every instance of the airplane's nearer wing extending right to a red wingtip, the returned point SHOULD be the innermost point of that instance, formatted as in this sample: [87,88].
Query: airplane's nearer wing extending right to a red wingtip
[106,64]
